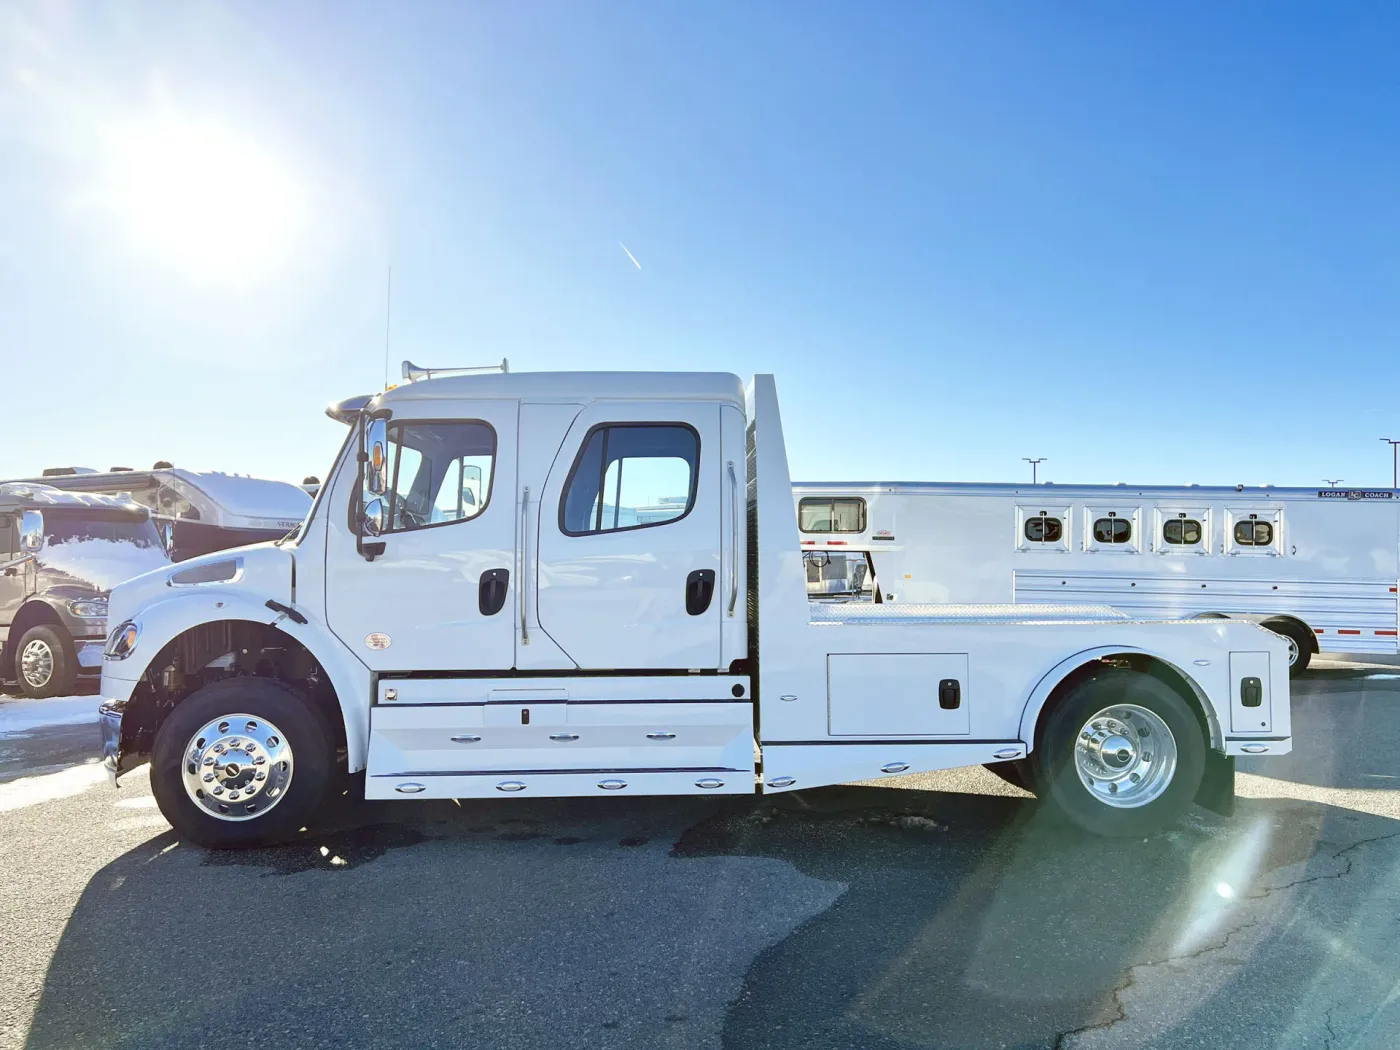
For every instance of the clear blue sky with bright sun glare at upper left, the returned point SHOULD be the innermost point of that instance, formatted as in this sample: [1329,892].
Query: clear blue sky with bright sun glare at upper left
[1154,243]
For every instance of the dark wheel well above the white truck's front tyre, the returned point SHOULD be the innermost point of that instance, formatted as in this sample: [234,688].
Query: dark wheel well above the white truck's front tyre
[220,650]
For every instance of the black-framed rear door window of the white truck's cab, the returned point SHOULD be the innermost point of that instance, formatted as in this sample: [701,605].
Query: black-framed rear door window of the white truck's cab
[631,477]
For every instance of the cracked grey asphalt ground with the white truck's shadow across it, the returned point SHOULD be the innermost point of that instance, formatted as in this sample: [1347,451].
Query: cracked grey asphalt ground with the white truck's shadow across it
[925,912]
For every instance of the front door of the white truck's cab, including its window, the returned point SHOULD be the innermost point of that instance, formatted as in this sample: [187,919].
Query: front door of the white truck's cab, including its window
[442,594]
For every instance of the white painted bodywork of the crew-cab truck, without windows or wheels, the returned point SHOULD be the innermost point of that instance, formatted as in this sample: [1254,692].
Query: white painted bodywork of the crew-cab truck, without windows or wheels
[594,680]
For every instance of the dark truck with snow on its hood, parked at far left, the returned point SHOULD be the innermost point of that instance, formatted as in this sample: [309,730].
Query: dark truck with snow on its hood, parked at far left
[61,554]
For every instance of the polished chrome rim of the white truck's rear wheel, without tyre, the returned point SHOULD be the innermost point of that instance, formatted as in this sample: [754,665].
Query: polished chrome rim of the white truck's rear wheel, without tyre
[1126,757]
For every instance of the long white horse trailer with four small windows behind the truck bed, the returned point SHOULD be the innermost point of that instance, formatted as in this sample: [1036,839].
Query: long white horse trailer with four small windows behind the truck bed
[1319,566]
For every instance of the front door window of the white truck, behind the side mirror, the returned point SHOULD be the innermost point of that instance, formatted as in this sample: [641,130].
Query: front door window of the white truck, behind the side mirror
[440,472]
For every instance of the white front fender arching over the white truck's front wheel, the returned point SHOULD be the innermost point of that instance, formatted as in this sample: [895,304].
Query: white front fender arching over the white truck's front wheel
[164,621]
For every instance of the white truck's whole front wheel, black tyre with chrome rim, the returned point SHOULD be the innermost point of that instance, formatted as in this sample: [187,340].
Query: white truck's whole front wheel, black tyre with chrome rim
[241,762]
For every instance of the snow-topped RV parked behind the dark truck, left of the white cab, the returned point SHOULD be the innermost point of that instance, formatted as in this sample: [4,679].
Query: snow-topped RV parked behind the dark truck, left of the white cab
[204,510]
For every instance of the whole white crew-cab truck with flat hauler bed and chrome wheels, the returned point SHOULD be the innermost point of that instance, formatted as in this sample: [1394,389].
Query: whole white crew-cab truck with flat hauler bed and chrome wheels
[621,608]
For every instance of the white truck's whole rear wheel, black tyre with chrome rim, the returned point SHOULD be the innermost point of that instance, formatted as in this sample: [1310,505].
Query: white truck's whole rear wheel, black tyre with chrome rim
[1123,755]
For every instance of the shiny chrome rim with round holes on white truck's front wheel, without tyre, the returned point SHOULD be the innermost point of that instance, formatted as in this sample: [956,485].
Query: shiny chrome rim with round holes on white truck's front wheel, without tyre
[237,768]
